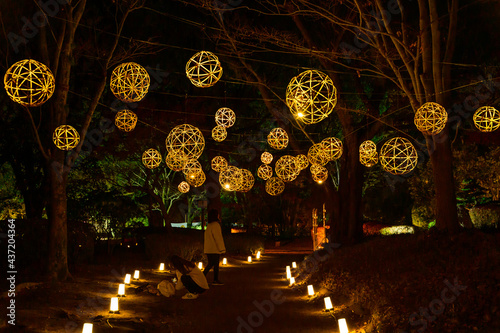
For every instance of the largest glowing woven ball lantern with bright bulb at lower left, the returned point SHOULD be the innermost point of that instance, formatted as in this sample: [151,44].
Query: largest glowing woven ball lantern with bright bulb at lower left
[311,96]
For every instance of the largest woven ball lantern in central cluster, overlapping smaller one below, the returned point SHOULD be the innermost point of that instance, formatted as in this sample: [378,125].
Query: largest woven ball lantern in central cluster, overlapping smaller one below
[186,138]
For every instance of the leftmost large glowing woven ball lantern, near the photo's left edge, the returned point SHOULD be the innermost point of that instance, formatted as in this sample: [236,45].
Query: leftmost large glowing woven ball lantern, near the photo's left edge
[29,82]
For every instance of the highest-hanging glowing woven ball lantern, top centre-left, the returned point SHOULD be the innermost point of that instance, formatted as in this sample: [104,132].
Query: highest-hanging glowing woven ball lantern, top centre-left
[204,69]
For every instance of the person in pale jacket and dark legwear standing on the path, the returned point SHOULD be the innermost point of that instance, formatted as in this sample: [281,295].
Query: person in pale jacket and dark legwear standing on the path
[213,245]
